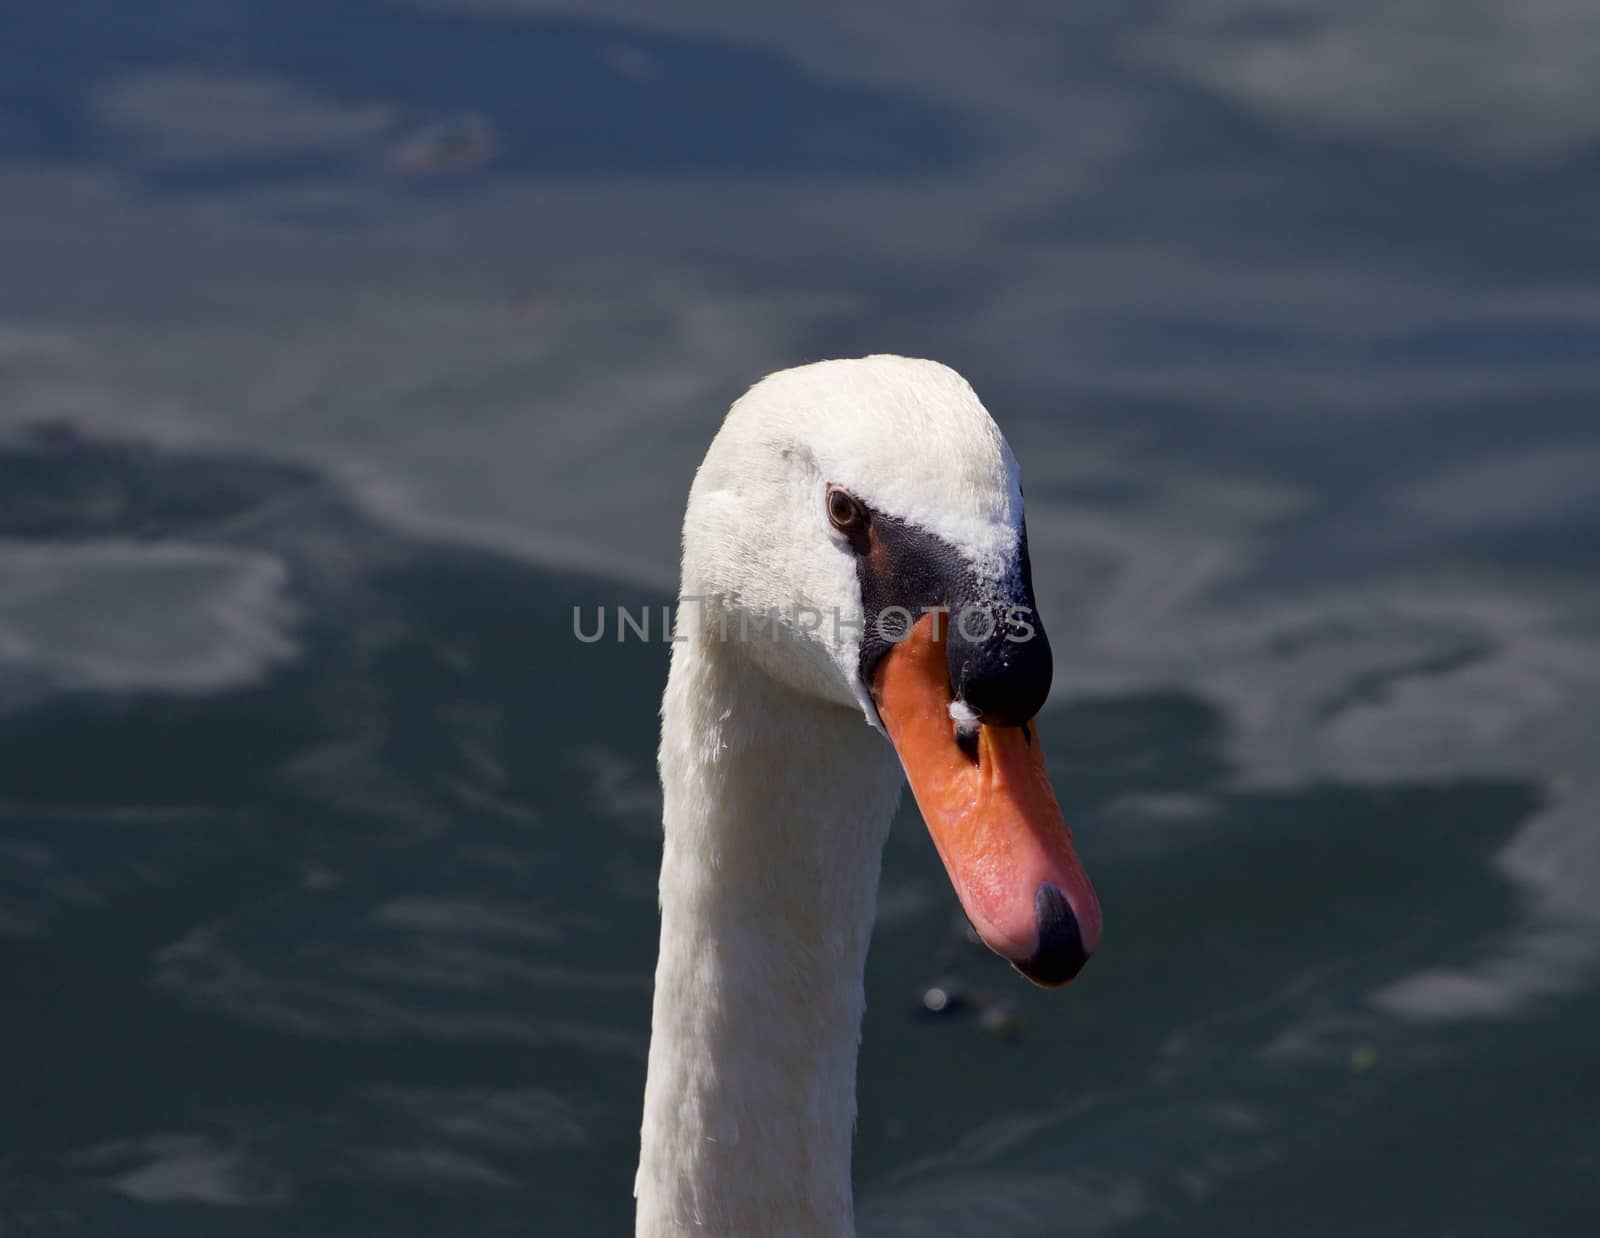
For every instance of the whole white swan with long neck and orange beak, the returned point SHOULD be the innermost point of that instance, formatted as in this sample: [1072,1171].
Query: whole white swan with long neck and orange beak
[855,562]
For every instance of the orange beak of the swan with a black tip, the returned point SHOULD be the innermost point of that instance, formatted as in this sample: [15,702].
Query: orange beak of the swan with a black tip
[994,818]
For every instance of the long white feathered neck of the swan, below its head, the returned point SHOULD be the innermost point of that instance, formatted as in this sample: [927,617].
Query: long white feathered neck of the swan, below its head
[775,813]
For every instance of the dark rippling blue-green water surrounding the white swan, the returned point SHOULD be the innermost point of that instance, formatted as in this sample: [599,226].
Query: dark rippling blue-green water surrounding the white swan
[345,348]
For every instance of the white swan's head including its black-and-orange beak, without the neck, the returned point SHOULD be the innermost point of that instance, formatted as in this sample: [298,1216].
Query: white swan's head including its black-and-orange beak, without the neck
[857,530]
